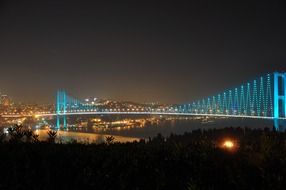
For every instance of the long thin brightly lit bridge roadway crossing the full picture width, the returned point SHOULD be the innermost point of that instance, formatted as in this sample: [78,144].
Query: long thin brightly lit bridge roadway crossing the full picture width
[141,113]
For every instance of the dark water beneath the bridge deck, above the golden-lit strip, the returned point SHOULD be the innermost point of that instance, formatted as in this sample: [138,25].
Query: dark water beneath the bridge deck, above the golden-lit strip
[166,126]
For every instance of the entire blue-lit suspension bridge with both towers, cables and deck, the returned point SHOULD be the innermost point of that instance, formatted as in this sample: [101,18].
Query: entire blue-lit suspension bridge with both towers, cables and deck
[261,98]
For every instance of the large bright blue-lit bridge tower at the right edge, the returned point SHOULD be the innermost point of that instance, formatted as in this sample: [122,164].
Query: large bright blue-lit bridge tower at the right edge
[279,99]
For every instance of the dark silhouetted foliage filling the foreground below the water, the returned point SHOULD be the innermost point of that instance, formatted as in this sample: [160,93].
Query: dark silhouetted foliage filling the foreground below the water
[190,161]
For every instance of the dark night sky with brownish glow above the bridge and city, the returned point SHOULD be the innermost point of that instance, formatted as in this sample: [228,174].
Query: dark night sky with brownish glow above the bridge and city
[138,50]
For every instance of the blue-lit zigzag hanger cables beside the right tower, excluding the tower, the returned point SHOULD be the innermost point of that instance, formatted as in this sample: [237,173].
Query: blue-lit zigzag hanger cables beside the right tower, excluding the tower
[250,99]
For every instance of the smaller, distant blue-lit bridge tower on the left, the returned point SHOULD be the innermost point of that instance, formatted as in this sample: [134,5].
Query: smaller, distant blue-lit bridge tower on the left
[61,107]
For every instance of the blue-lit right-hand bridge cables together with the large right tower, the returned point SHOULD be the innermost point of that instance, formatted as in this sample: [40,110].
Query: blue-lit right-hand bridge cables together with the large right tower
[264,97]
